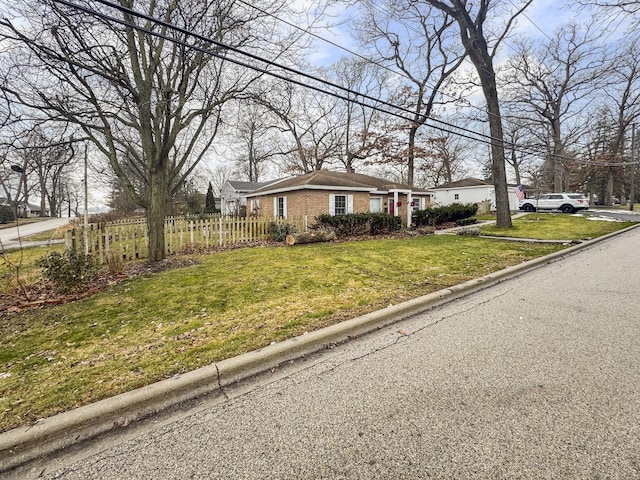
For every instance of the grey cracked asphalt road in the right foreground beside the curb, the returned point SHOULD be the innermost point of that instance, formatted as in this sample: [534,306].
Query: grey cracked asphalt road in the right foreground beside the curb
[536,377]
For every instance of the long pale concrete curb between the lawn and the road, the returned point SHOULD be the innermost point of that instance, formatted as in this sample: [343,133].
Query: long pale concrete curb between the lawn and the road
[23,445]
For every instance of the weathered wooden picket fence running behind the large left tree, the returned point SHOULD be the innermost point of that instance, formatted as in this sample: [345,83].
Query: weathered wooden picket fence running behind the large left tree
[130,239]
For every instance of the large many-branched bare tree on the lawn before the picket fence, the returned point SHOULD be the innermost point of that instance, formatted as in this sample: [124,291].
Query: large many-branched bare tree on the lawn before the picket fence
[148,96]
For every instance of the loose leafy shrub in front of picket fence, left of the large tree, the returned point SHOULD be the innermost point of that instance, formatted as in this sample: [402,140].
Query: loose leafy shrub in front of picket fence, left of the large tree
[69,269]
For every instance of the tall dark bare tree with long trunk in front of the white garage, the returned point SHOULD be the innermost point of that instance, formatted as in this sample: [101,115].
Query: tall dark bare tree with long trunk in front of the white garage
[482,46]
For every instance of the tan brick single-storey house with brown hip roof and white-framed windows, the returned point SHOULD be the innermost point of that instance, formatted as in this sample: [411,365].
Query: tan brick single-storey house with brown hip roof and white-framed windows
[335,193]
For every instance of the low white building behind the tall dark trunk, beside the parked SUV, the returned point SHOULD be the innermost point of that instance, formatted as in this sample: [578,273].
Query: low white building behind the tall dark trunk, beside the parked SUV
[471,190]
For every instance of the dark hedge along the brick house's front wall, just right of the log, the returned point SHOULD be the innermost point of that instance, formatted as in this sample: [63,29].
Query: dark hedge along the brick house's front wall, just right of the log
[359,223]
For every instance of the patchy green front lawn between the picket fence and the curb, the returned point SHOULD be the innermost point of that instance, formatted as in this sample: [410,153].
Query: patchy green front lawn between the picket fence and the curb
[152,327]
